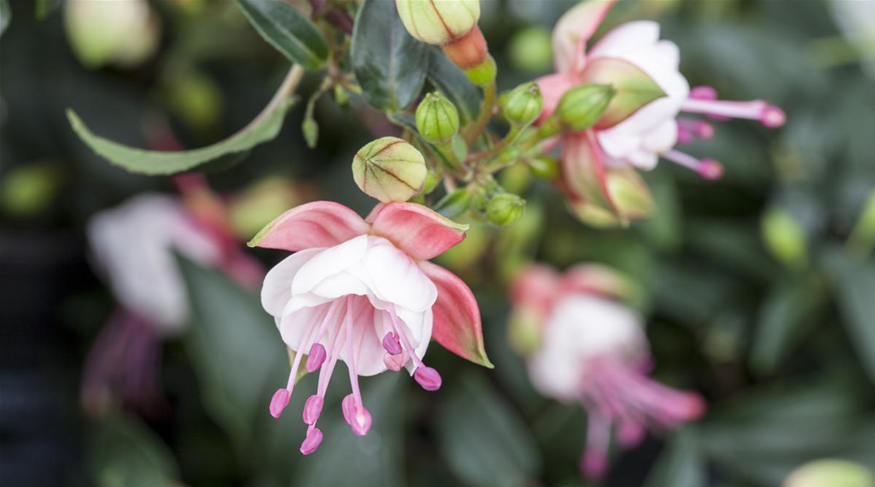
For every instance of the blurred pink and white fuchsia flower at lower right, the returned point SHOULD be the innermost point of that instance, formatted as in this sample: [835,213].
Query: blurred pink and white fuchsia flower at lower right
[587,347]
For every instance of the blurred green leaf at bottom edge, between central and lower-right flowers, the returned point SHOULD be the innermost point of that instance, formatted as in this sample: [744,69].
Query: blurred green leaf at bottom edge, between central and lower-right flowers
[483,440]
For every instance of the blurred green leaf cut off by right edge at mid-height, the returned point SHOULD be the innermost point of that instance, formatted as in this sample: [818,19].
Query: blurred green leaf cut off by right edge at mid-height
[855,285]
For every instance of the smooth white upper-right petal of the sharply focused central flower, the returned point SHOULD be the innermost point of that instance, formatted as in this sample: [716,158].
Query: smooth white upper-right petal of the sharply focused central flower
[397,278]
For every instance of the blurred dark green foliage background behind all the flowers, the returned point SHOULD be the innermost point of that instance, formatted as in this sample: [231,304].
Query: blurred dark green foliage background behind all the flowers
[761,286]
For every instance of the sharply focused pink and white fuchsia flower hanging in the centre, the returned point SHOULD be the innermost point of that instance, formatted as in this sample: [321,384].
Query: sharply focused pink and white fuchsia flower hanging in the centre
[362,291]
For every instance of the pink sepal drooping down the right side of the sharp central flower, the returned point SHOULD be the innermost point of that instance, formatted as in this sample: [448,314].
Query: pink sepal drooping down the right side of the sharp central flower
[457,325]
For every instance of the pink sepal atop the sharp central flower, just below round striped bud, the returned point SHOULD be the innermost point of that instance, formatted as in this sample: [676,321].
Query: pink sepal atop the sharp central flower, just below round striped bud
[420,232]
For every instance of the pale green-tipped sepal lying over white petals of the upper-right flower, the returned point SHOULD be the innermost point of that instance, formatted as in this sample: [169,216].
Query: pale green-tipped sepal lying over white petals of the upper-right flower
[634,88]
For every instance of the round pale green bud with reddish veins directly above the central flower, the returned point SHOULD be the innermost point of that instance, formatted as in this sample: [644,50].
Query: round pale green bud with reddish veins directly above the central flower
[389,169]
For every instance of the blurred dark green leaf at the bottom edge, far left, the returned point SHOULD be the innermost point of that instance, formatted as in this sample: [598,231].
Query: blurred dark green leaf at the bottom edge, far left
[124,451]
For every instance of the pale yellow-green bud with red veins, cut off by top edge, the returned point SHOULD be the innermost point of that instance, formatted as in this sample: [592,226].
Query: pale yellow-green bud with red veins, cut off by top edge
[438,21]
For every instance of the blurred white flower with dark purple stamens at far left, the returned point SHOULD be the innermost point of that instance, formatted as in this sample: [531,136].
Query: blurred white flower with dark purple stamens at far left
[133,247]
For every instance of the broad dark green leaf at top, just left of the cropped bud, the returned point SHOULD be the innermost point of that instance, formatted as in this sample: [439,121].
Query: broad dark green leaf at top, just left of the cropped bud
[388,63]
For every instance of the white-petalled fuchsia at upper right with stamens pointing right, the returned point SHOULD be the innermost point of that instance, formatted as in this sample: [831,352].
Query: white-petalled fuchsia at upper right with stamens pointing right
[641,124]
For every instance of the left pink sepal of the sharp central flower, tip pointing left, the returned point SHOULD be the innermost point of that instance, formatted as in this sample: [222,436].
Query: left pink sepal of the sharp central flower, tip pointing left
[316,224]
